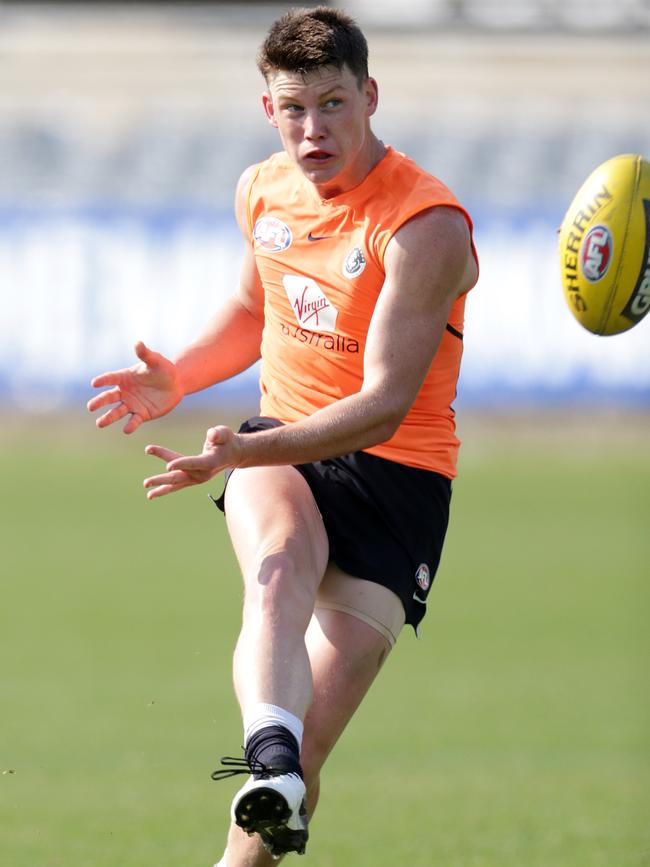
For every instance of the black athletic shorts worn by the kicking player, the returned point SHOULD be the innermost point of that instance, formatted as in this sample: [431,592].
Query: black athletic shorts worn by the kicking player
[386,522]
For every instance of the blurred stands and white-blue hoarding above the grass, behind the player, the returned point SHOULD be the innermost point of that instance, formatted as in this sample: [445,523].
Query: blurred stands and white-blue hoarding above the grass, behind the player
[124,126]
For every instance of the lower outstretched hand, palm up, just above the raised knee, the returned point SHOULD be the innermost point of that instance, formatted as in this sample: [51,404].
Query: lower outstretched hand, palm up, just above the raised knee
[220,451]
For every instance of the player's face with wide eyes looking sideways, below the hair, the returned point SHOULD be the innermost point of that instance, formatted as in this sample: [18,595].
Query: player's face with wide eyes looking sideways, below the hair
[324,122]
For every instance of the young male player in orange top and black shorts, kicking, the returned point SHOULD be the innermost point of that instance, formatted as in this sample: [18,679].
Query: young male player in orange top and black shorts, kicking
[352,292]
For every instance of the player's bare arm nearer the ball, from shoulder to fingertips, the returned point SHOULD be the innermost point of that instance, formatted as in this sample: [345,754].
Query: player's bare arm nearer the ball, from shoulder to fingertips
[428,264]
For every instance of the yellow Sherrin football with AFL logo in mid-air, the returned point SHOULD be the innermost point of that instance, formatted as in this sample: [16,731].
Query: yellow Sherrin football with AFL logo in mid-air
[605,247]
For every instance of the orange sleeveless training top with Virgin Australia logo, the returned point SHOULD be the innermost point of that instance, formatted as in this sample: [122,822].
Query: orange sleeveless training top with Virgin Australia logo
[321,262]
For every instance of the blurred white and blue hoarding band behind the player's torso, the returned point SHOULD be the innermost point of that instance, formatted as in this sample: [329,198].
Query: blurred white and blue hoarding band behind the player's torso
[77,291]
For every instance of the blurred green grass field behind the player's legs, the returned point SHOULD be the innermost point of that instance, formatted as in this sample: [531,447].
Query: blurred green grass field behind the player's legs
[514,733]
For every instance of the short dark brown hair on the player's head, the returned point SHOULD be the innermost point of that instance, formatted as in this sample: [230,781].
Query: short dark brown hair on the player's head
[303,40]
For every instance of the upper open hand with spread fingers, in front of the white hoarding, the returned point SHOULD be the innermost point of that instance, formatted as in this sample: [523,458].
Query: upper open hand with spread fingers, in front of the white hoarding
[145,391]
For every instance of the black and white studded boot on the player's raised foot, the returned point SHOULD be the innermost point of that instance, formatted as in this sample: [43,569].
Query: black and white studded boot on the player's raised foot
[271,804]
